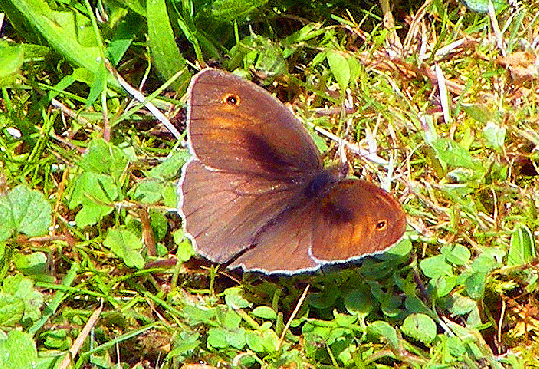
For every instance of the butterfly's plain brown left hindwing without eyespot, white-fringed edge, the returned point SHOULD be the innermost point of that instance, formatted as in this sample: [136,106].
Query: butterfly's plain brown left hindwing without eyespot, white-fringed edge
[223,212]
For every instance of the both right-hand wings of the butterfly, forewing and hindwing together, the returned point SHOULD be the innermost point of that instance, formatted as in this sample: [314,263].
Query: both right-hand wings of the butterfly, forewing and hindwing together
[348,220]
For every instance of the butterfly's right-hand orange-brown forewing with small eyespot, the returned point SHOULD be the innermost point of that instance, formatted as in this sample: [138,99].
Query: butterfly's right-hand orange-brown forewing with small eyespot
[355,219]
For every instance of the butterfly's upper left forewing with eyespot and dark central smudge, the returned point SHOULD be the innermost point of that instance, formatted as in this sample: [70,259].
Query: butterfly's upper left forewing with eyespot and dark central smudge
[236,126]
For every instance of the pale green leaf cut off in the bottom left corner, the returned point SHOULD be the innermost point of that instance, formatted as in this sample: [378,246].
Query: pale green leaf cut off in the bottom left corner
[17,350]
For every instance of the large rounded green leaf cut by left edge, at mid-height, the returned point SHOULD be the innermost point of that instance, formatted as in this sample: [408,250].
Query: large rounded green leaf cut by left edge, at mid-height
[23,210]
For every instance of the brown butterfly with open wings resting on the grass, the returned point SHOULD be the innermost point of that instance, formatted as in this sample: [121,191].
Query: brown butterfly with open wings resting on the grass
[255,193]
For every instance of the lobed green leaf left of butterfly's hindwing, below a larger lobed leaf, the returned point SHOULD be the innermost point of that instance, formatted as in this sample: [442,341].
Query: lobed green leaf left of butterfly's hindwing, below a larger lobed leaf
[126,246]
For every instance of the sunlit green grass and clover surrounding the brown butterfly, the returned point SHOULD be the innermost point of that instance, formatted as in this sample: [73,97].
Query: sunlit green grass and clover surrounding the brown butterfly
[92,246]
